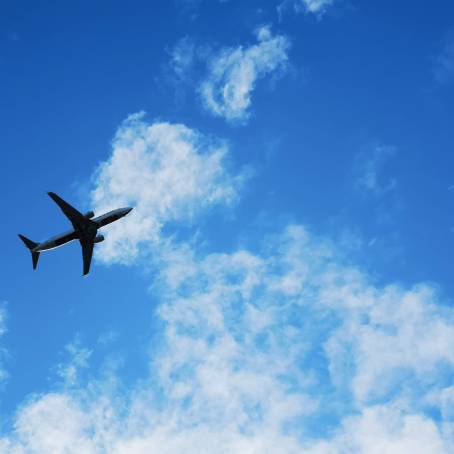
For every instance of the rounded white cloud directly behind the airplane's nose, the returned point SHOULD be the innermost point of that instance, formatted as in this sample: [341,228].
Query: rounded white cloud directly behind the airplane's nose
[168,173]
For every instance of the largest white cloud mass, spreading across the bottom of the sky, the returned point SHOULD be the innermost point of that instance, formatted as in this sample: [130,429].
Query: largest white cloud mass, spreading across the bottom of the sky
[260,347]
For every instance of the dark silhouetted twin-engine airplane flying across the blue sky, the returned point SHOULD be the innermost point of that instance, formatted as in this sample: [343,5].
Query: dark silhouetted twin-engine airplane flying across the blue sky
[85,229]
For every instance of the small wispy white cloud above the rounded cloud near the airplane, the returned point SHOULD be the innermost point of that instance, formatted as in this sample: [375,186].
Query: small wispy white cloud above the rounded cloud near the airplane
[233,73]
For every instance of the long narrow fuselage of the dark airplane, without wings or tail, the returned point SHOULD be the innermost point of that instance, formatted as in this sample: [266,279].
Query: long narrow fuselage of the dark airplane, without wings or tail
[88,231]
